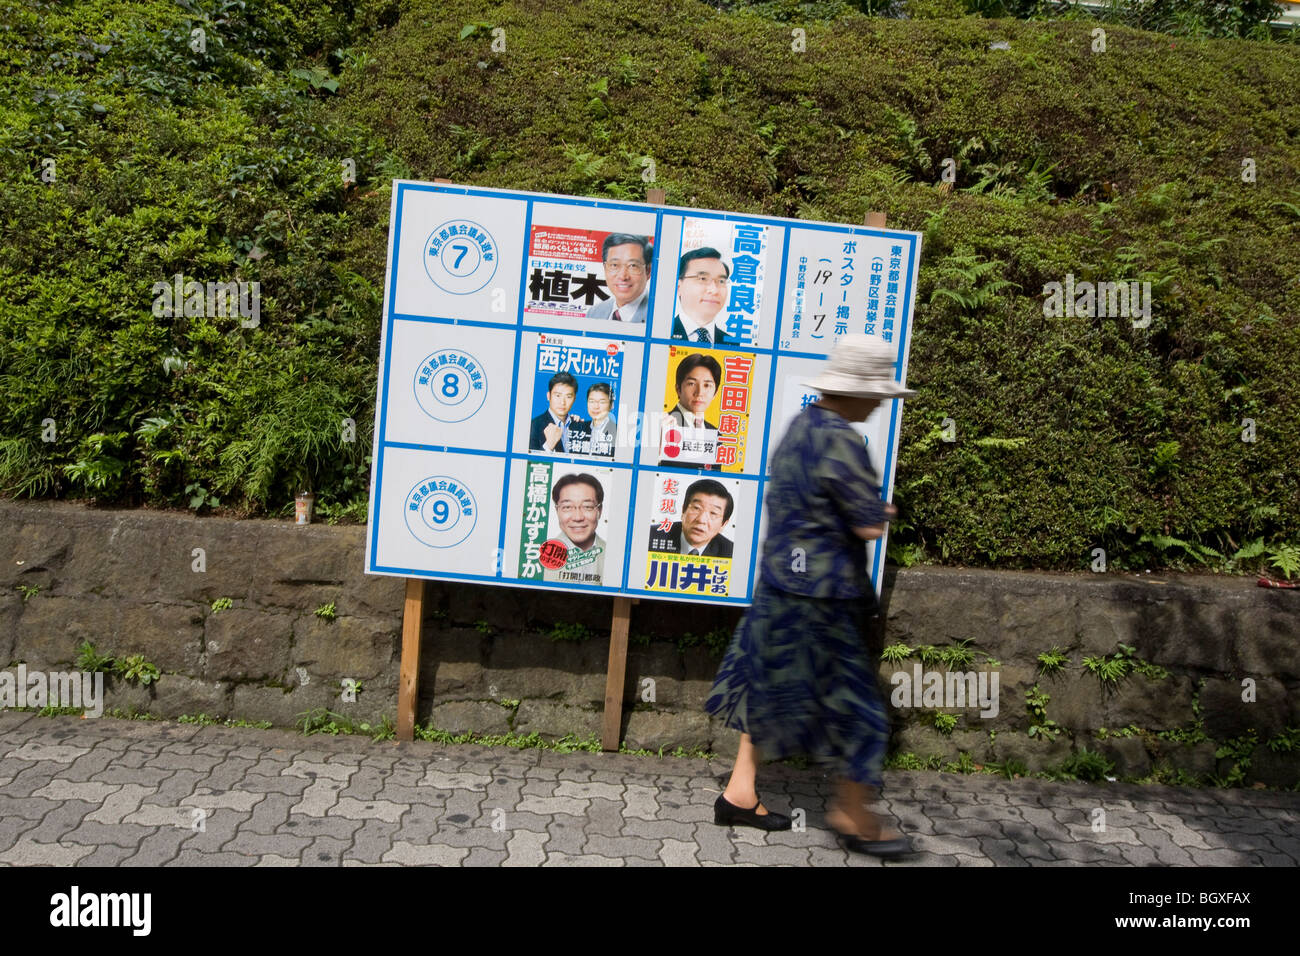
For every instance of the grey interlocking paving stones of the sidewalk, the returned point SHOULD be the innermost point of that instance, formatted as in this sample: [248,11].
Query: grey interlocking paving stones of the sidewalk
[132,793]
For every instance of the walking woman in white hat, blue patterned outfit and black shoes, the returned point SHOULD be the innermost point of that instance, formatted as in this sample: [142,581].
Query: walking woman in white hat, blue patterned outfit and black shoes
[798,677]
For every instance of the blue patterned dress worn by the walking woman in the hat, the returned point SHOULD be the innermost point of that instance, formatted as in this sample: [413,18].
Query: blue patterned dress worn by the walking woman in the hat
[798,676]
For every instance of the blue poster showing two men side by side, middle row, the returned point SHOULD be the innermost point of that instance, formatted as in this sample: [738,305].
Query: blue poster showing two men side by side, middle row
[578,384]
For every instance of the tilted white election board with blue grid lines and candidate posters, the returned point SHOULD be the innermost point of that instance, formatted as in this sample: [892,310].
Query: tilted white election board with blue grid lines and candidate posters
[583,396]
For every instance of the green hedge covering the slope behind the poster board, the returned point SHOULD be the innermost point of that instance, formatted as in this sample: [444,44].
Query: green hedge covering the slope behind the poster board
[1072,434]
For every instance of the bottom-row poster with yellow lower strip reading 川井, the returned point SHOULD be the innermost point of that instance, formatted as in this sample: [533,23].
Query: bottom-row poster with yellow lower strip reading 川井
[692,535]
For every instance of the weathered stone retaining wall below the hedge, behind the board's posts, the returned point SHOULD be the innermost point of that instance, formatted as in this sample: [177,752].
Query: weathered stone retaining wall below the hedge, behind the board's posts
[131,583]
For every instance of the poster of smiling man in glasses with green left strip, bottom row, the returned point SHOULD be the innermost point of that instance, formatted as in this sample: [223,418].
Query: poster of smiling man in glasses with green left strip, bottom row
[565,524]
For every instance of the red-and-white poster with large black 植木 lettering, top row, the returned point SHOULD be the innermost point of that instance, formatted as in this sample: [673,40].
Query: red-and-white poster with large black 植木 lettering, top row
[567,275]
